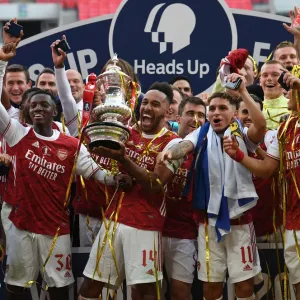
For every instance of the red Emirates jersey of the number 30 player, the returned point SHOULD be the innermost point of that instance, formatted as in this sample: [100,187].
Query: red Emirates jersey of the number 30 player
[43,170]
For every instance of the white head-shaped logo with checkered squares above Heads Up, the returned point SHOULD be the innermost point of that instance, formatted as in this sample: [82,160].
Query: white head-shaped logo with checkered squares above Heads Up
[177,33]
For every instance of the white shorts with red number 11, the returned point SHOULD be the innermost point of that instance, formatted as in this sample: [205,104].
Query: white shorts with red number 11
[237,252]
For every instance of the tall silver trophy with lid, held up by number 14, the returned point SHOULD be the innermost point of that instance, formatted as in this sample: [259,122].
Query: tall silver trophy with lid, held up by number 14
[110,120]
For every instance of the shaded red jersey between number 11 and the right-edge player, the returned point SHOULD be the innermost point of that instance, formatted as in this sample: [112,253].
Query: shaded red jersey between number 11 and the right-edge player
[269,200]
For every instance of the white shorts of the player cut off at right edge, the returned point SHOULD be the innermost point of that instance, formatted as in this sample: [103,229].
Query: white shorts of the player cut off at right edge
[290,255]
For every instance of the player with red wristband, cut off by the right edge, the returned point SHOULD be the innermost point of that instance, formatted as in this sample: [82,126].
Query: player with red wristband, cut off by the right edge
[286,158]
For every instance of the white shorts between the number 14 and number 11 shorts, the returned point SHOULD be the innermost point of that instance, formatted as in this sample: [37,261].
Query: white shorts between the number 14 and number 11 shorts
[179,258]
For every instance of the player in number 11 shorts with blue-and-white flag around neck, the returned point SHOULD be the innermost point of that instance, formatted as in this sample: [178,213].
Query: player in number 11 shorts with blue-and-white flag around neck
[206,142]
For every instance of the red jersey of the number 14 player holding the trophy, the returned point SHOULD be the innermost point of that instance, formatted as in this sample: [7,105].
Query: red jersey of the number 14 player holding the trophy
[140,209]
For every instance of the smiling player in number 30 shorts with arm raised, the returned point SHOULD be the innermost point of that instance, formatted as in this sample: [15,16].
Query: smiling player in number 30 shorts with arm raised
[44,164]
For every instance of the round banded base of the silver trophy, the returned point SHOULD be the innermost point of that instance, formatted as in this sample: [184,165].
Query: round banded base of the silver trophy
[105,134]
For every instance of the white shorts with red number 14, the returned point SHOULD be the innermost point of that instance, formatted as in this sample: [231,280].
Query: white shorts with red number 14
[134,253]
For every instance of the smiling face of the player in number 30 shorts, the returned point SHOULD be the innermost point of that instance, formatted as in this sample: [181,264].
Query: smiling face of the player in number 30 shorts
[41,110]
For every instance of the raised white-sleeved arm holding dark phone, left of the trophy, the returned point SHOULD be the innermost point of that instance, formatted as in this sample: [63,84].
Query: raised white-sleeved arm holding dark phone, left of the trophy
[68,103]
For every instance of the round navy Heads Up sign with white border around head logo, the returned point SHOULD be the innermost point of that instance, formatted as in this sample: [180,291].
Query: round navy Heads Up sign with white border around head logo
[165,64]
